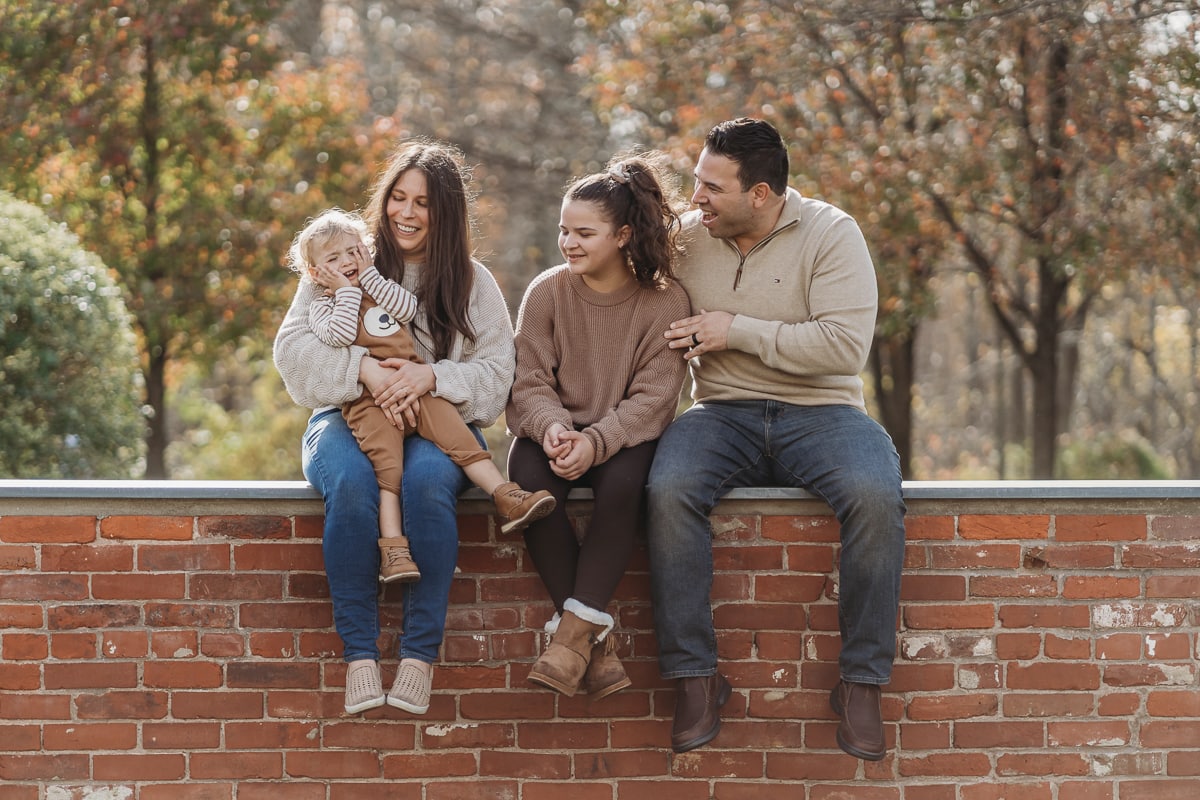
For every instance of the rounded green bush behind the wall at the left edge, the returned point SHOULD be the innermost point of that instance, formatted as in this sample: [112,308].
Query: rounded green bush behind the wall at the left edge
[69,370]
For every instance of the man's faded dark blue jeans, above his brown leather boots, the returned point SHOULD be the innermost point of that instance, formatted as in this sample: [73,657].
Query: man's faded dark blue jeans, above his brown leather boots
[835,452]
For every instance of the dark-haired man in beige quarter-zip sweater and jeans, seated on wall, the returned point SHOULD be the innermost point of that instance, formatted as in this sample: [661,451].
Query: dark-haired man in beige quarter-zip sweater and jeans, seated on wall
[787,299]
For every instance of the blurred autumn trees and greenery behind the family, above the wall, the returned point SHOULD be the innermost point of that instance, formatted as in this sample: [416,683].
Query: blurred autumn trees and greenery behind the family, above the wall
[1025,173]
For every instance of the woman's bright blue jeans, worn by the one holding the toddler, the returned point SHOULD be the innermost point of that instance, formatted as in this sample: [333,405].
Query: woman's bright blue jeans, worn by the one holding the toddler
[430,490]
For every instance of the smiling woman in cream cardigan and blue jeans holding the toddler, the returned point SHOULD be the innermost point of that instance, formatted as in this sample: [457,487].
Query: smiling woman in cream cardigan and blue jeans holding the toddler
[463,333]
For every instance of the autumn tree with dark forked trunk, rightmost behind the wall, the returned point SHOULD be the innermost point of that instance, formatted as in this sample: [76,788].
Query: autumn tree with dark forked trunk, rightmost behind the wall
[1030,145]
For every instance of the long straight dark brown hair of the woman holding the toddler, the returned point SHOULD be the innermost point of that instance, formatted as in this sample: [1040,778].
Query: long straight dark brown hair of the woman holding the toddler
[445,292]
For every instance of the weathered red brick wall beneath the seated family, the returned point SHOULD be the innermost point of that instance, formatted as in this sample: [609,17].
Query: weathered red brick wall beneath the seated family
[165,649]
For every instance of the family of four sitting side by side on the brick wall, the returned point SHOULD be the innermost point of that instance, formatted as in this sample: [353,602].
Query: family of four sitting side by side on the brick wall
[405,347]
